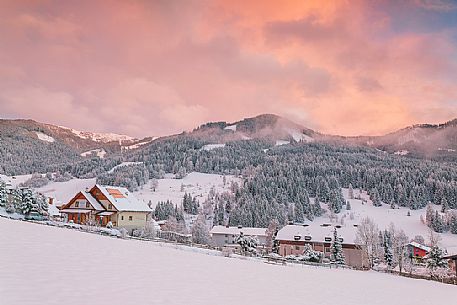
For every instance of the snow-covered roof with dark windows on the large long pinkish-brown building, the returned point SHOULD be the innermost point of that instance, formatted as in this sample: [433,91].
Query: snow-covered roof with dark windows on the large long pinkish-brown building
[317,232]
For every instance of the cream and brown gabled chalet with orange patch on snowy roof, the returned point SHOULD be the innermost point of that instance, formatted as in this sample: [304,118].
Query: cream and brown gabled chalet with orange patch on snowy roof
[105,204]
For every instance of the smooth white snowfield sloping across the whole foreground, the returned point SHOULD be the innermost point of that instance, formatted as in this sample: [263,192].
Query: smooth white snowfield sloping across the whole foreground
[48,265]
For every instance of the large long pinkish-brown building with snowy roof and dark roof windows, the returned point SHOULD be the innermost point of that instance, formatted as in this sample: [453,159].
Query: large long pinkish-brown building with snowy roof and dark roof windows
[293,238]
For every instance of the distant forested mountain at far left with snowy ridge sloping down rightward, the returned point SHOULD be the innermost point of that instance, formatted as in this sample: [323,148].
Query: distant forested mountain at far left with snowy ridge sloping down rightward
[28,146]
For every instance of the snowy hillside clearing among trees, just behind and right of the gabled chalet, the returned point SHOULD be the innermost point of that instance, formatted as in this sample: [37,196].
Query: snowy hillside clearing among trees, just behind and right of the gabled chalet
[196,184]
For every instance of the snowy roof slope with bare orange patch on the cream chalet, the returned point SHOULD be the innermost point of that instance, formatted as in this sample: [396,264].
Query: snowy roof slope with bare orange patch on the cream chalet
[122,199]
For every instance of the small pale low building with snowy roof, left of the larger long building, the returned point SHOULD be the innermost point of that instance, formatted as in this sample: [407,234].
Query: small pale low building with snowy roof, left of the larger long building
[225,235]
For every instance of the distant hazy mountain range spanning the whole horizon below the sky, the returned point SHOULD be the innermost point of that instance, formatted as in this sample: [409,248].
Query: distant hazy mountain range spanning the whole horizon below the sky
[27,146]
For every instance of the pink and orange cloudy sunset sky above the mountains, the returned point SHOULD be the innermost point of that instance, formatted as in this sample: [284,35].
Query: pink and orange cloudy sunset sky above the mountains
[147,68]
